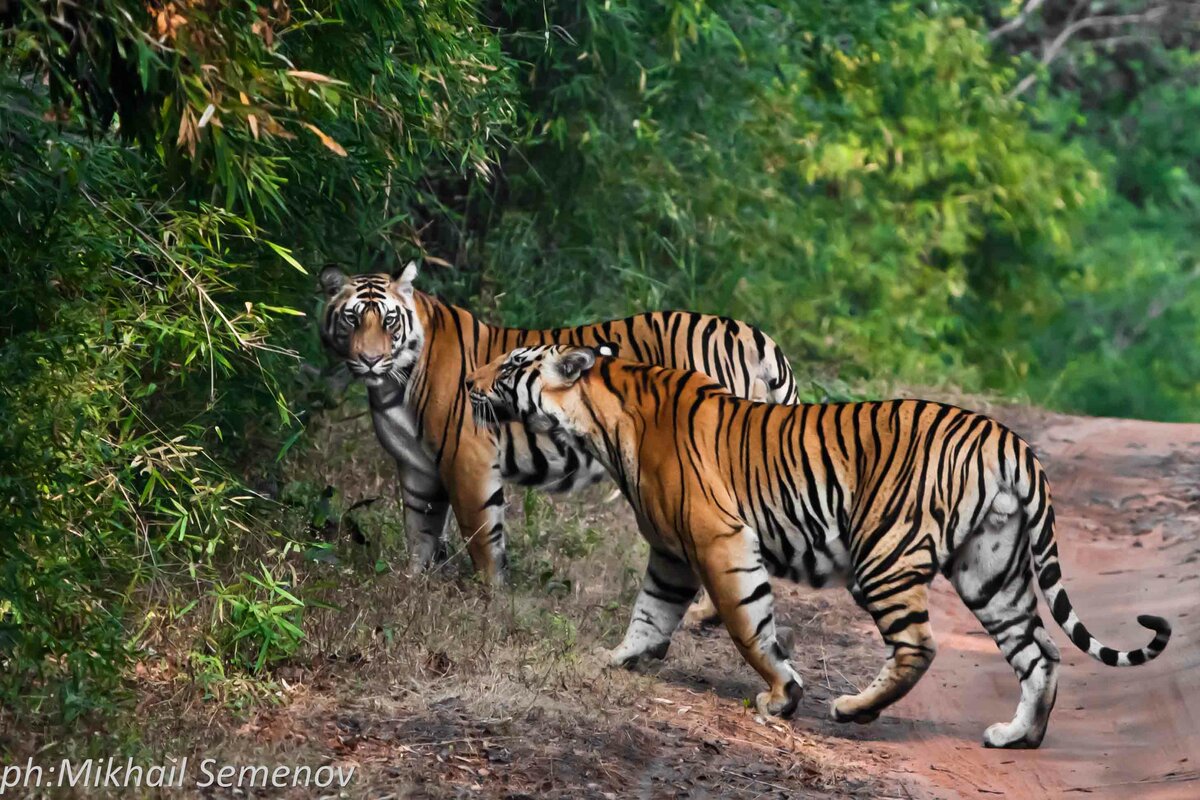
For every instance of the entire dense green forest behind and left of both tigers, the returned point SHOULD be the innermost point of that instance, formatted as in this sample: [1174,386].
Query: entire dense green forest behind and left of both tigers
[994,196]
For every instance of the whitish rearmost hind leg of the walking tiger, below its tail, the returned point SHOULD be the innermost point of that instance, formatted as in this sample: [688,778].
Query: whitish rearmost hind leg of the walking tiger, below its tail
[993,575]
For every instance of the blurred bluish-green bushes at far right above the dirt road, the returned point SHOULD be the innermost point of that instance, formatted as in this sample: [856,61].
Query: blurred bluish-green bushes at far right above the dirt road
[1117,333]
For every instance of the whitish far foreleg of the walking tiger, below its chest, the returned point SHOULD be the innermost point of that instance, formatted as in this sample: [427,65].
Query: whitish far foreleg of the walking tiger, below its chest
[669,587]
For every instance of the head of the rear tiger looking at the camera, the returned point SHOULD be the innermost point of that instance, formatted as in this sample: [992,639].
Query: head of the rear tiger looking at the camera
[371,324]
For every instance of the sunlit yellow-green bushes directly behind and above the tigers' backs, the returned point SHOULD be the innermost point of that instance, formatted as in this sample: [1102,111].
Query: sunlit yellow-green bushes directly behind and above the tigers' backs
[836,176]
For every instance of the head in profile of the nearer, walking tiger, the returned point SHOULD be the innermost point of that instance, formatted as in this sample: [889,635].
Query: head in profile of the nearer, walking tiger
[535,386]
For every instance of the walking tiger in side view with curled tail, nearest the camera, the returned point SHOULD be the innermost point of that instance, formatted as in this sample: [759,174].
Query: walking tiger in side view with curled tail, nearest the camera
[881,495]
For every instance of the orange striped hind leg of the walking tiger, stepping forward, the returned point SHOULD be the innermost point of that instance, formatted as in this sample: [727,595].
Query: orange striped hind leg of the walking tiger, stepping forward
[903,619]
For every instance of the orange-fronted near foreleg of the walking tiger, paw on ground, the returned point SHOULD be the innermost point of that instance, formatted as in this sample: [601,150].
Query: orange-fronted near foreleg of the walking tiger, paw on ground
[740,587]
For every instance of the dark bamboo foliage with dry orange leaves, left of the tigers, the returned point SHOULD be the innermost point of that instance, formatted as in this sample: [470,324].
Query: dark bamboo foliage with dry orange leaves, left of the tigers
[155,281]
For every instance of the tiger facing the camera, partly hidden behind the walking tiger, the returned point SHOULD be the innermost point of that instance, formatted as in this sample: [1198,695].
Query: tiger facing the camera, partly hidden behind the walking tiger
[413,352]
